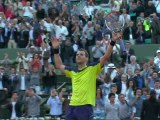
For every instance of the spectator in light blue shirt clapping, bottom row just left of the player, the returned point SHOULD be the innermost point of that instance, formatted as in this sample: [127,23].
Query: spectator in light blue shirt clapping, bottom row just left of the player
[55,102]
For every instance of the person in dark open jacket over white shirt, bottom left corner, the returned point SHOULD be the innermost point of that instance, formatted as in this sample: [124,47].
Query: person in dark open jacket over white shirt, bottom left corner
[14,106]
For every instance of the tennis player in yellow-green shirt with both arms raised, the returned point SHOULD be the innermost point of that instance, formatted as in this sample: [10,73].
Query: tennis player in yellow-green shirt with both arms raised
[83,80]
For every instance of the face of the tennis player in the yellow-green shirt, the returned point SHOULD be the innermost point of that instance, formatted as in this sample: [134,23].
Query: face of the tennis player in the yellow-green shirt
[81,57]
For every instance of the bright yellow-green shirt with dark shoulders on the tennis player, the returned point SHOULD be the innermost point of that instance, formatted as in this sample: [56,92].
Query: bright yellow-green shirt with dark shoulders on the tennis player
[83,84]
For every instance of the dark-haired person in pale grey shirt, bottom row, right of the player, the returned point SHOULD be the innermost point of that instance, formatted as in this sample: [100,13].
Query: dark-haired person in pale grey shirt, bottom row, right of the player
[112,108]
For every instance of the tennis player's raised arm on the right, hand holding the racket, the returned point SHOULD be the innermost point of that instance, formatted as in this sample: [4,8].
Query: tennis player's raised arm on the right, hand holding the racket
[107,54]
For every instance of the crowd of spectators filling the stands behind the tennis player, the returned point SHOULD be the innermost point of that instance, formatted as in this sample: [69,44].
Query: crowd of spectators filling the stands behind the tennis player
[124,89]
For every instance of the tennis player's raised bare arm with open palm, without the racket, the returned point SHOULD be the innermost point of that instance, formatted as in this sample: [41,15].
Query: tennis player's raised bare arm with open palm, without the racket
[57,59]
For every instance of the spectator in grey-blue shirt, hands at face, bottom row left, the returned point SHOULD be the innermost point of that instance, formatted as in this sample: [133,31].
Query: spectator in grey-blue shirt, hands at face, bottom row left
[32,102]
